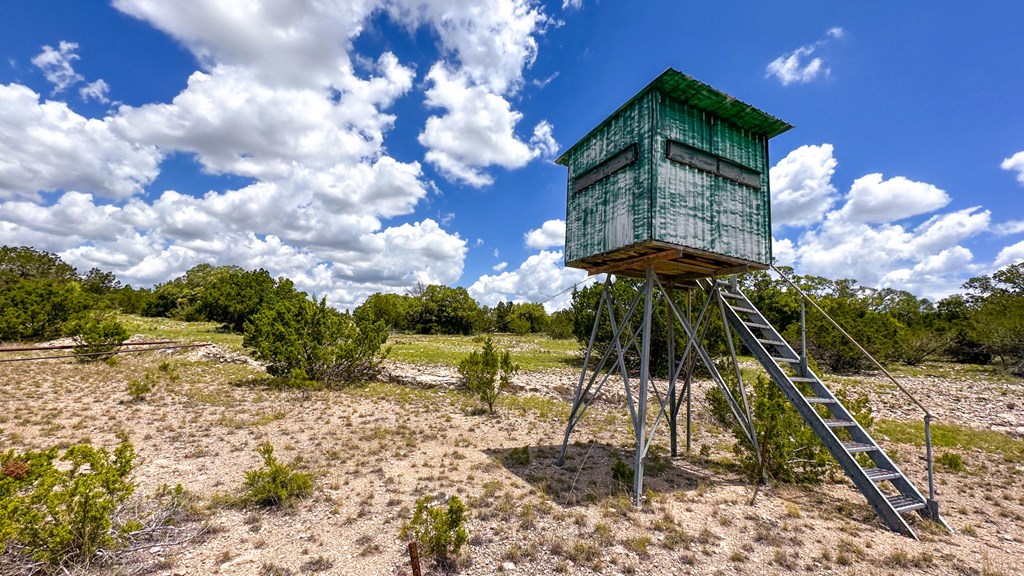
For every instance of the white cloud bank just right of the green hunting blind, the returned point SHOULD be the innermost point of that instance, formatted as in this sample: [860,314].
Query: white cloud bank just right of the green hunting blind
[875,235]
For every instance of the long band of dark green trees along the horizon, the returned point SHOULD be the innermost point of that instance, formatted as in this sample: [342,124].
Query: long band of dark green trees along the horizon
[44,298]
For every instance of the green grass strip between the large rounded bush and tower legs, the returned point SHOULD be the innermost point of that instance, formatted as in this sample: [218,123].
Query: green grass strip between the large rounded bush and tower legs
[532,352]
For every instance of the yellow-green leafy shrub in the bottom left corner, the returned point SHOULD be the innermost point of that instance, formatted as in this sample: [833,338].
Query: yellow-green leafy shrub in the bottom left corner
[59,509]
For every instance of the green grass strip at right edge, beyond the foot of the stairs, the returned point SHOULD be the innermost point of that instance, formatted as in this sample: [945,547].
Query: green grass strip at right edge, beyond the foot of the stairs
[953,436]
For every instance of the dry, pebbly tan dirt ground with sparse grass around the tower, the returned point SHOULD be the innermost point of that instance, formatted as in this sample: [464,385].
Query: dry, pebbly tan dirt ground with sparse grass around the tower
[376,449]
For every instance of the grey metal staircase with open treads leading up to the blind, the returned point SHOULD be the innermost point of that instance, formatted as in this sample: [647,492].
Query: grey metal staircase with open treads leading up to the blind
[885,486]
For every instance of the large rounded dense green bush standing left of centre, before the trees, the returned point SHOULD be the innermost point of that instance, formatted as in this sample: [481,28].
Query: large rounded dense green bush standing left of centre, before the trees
[302,340]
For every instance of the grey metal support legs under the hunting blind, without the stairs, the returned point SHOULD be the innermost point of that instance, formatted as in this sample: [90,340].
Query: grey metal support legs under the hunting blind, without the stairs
[638,388]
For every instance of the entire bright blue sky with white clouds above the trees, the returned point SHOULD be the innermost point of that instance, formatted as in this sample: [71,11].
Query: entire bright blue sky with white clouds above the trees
[363,147]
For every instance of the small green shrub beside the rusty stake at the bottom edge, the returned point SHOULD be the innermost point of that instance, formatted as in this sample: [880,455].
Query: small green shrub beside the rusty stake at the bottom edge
[439,528]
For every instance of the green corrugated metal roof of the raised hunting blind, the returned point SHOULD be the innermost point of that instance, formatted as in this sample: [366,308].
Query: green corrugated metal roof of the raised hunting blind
[701,96]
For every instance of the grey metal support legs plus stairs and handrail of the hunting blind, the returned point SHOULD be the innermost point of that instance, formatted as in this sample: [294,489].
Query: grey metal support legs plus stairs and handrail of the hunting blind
[818,406]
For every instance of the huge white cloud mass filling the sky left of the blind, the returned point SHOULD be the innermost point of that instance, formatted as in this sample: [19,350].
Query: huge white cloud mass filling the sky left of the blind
[282,98]
